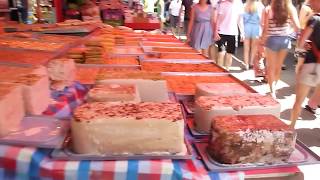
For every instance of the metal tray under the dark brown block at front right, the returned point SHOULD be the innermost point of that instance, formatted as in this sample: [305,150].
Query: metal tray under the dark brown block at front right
[302,155]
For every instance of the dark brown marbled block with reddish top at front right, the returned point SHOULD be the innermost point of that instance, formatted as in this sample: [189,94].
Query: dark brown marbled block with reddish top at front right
[250,139]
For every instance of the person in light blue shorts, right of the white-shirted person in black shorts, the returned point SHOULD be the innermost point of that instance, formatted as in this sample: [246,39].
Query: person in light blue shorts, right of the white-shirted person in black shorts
[252,30]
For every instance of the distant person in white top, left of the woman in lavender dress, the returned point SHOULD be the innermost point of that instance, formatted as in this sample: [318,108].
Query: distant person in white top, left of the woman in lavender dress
[174,11]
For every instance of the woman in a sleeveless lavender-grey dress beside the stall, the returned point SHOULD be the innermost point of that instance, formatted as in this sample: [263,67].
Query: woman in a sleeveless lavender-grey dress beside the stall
[200,29]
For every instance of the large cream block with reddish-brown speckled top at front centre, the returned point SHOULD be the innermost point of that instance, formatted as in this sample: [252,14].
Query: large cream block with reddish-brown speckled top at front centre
[128,128]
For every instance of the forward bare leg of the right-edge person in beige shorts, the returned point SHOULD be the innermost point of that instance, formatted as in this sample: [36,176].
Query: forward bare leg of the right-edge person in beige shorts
[301,93]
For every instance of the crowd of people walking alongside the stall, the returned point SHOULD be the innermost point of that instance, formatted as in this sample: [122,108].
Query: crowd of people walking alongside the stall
[266,28]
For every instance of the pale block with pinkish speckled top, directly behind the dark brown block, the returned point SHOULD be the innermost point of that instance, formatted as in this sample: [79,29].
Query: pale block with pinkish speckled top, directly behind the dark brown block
[208,107]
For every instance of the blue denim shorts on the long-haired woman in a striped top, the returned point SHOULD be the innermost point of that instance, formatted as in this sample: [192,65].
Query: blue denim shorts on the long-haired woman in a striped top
[277,43]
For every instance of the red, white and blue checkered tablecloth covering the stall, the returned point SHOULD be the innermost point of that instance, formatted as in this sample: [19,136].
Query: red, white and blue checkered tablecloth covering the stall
[27,162]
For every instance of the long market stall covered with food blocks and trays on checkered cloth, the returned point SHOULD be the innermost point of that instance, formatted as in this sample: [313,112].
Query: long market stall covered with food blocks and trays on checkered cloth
[166,79]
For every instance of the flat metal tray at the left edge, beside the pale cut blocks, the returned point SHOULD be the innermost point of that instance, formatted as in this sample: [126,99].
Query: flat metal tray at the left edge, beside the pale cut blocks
[39,131]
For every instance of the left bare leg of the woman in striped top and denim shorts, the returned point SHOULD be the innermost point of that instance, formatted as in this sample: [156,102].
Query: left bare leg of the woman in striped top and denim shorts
[271,66]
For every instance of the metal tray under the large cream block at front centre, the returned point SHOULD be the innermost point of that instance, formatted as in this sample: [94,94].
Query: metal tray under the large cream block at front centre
[67,154]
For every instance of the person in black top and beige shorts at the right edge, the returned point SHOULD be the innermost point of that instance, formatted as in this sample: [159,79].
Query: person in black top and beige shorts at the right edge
[308,68]
